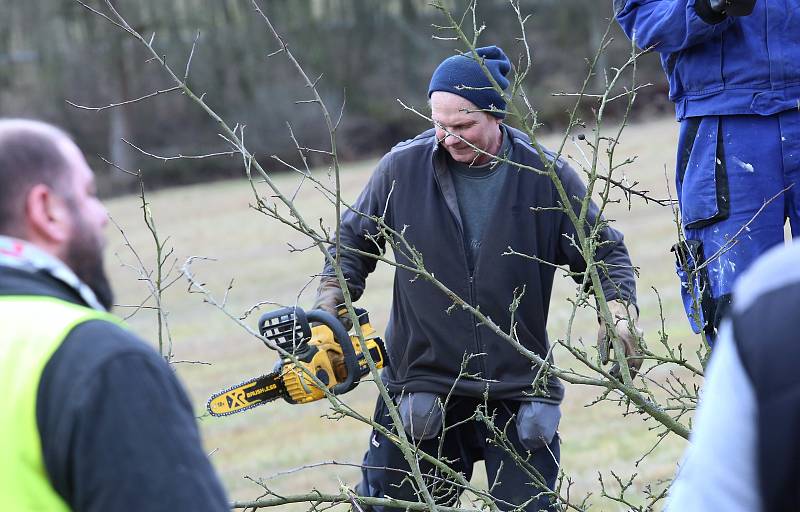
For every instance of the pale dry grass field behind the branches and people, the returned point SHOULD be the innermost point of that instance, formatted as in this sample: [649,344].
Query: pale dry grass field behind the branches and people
[252,251]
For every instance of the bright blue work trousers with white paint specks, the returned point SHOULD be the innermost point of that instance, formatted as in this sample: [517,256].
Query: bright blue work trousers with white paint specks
[737,182]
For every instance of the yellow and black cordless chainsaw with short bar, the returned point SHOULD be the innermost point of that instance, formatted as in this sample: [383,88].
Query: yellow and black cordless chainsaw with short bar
[324,350]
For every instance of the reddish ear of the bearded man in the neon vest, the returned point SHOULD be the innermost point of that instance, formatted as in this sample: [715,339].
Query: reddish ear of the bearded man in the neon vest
[47,217]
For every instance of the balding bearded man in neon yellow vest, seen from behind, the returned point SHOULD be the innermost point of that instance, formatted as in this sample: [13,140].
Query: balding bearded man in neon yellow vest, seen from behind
[92,417]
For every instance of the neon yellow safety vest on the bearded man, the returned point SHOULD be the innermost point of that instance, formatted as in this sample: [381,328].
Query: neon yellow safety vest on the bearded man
[32,327]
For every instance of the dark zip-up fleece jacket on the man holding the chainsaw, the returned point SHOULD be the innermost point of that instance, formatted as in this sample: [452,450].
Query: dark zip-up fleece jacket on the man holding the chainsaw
[428,339]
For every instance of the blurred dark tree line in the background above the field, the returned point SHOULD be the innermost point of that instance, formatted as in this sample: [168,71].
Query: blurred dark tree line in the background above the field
[369,53]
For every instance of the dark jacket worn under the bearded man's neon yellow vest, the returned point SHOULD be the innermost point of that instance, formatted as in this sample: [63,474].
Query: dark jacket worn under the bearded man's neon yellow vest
[117,430]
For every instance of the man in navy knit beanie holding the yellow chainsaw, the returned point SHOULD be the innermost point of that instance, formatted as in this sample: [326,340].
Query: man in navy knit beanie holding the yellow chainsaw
[461,207]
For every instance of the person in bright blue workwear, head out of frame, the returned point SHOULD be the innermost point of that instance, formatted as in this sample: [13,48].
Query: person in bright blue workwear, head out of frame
[734,74]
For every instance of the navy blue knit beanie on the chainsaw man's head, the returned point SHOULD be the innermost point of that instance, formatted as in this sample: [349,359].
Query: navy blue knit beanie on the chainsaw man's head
[462,75]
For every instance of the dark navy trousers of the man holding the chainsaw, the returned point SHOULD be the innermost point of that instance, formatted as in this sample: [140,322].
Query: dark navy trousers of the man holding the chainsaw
[386,472]
